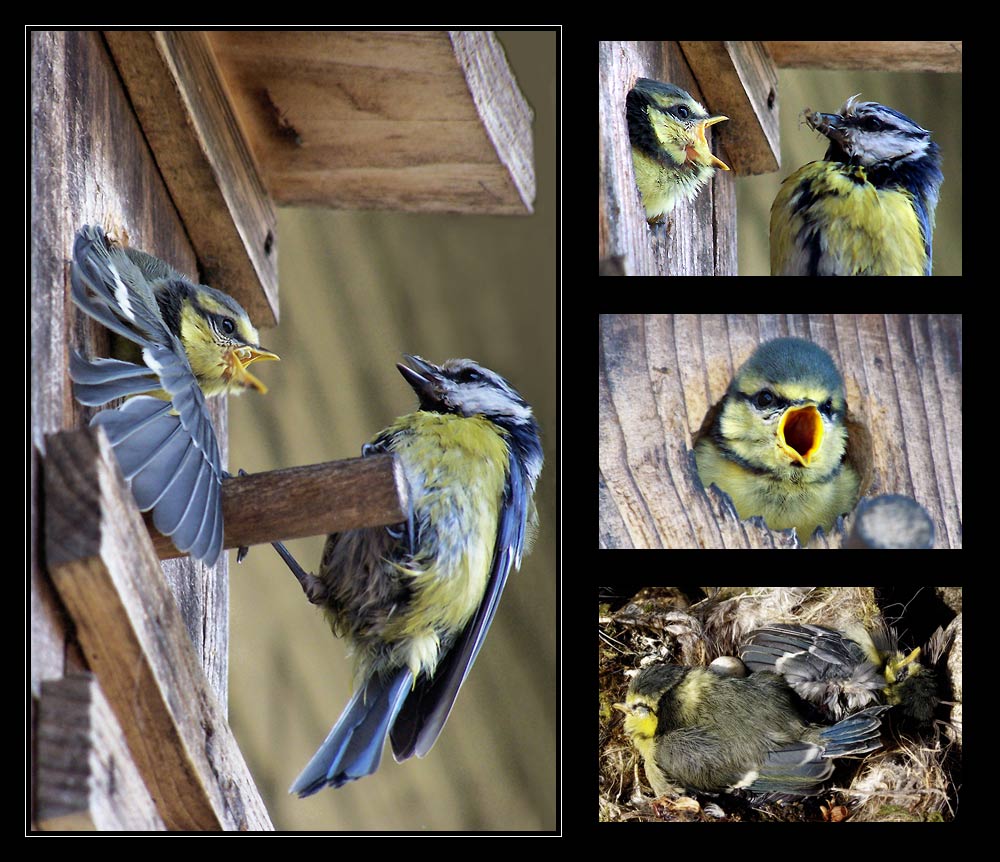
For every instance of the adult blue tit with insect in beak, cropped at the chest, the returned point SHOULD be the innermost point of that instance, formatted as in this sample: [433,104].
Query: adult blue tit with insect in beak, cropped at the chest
[868,207]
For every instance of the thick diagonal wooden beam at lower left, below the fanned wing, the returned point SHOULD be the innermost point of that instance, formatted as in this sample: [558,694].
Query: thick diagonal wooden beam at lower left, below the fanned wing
[137,644]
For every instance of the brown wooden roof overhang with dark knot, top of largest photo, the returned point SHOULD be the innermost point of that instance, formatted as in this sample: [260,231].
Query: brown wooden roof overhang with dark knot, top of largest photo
[382,120]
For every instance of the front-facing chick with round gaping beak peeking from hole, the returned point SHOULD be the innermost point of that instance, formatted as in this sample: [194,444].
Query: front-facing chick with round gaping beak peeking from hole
[778,442]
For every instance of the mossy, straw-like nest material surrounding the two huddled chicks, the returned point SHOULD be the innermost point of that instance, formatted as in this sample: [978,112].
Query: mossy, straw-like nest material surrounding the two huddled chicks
[914,777]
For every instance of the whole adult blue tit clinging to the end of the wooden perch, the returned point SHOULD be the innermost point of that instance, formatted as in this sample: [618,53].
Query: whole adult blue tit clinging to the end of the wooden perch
[415,600]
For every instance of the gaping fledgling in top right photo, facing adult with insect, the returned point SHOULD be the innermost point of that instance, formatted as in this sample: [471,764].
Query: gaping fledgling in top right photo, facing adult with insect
[670,155]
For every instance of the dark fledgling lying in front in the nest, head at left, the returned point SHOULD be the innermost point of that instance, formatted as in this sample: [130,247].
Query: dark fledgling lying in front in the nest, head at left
[711,732]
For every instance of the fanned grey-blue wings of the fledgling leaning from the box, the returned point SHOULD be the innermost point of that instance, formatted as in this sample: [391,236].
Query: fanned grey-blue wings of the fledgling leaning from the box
[167,449]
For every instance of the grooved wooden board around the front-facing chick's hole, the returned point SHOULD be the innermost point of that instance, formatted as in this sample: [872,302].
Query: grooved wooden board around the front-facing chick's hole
[660,374]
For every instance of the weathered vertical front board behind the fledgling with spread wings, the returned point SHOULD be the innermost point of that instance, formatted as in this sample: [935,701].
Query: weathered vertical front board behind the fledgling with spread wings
[91,164]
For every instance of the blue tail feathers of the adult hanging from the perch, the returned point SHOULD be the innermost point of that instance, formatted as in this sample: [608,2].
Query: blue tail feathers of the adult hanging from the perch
[354,747]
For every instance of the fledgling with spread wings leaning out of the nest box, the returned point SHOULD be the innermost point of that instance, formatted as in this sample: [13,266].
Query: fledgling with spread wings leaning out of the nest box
[188,341]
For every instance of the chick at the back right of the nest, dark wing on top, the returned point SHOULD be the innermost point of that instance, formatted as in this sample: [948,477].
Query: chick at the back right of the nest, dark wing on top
[842,672]
